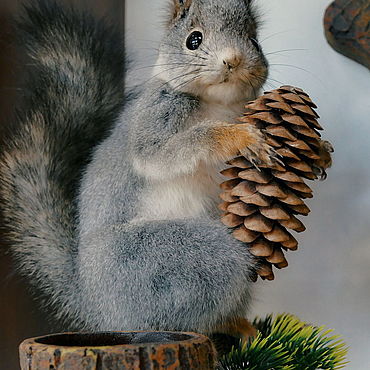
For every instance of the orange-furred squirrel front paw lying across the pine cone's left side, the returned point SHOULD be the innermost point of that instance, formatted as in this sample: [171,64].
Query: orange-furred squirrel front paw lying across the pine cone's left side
[232,140]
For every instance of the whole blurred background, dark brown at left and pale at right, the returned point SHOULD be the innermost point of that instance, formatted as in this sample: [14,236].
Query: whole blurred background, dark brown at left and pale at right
[328,281]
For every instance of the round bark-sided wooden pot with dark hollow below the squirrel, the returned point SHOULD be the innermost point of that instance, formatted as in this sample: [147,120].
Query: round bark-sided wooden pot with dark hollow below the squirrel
[118,351]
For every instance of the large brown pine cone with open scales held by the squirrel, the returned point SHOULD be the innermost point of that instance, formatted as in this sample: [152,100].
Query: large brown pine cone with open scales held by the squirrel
[262,203]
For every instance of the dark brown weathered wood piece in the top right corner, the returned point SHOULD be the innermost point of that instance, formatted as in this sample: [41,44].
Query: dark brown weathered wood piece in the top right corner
[347,28]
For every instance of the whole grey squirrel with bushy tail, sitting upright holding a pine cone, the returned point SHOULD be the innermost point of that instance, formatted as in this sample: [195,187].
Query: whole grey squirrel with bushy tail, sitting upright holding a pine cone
[111,200]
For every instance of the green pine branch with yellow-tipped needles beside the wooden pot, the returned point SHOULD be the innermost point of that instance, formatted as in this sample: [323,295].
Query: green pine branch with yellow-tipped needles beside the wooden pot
[290,344]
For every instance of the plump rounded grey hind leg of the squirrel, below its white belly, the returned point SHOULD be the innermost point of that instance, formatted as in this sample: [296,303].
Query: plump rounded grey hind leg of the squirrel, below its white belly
[164,275]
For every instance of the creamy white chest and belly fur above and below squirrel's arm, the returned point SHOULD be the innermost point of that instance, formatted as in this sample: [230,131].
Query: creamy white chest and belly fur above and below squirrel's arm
[192,195]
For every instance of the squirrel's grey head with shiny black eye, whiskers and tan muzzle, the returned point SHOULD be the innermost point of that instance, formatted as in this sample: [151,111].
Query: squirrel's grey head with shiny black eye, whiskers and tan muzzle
[210,50]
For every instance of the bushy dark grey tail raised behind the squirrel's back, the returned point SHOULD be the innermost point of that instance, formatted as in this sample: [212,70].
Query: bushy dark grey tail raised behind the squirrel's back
[75,92]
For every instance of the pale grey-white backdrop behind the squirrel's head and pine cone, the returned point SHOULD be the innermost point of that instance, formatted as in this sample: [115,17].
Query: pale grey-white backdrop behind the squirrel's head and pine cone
[328,281]
